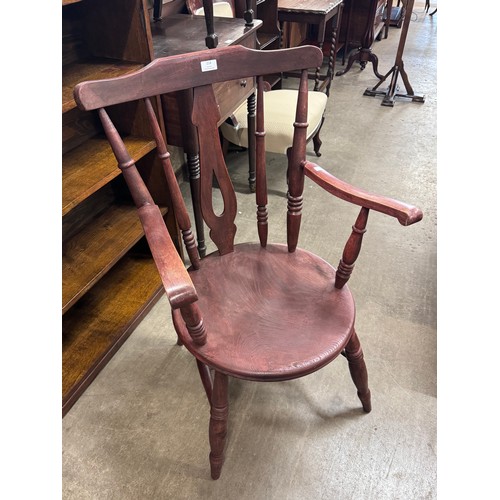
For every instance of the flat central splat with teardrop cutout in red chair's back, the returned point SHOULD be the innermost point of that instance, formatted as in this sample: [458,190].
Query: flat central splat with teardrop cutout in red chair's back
[205,117]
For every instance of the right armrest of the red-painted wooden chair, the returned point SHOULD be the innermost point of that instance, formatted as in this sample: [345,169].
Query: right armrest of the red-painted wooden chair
[406,214]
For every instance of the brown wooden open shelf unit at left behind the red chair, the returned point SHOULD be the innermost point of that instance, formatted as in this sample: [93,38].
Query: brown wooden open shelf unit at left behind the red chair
[109,278]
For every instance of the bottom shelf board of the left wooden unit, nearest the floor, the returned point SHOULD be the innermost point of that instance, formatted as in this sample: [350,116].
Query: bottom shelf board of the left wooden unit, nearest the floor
[98,324]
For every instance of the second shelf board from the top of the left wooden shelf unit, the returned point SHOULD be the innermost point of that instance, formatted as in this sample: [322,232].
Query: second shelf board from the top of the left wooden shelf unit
[92,165]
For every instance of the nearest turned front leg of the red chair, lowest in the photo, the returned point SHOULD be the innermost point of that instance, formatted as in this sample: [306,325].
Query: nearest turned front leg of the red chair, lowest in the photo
[218,423]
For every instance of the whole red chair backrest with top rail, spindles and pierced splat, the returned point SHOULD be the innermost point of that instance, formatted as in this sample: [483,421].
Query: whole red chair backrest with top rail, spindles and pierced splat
[198,71]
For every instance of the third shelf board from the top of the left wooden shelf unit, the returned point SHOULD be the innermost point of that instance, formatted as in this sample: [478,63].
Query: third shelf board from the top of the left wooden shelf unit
[89,255]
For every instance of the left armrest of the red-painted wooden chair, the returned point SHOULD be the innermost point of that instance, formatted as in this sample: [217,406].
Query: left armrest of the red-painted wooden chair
[175,278]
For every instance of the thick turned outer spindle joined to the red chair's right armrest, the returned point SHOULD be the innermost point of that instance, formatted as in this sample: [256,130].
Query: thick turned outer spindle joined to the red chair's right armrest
[295,165]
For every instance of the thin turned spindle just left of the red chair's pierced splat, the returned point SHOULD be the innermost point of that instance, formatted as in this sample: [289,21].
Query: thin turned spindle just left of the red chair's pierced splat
[173,187]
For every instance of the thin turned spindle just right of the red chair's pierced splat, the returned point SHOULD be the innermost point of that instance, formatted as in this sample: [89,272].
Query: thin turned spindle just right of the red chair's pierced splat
[261,181]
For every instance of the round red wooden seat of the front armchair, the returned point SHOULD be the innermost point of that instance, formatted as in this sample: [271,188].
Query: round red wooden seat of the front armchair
[269,314]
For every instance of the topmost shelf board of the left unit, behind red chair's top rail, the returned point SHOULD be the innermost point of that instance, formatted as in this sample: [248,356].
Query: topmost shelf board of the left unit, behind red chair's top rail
[97,69]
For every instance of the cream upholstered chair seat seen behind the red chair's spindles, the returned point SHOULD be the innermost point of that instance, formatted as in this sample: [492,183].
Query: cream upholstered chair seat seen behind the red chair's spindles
[279,111]
